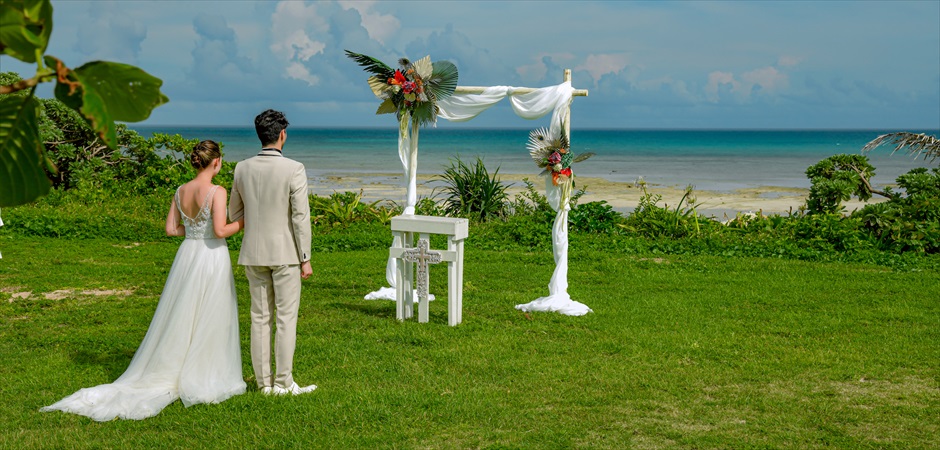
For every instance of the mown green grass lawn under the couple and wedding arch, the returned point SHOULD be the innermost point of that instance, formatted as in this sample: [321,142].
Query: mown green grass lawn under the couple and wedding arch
[680,352]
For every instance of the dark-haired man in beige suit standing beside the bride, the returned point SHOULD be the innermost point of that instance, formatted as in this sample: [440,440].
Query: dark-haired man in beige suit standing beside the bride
[270,192]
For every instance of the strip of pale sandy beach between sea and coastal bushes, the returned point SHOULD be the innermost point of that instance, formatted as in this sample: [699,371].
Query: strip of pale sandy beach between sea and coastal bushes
[621,196]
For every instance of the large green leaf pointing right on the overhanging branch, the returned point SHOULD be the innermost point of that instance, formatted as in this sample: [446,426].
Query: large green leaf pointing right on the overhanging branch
[105,91]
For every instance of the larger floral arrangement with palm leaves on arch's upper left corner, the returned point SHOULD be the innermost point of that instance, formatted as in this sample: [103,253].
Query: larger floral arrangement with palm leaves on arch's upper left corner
[413,89]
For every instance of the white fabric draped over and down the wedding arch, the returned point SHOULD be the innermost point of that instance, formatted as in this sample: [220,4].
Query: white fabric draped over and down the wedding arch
[528,105]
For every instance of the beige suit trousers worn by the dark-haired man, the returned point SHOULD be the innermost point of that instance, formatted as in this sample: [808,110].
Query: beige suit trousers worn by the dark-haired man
[275,301]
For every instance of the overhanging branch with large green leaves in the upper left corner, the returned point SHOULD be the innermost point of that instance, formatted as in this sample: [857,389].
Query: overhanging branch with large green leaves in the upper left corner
[100,92]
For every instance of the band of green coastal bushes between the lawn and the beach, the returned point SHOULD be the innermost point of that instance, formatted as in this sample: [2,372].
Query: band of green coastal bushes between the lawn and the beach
[124,196]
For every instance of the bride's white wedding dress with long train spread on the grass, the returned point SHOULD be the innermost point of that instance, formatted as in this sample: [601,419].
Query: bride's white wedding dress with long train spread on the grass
[191,350]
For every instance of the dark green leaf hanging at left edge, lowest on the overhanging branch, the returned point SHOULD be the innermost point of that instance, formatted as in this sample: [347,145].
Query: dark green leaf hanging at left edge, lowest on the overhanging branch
[22,178]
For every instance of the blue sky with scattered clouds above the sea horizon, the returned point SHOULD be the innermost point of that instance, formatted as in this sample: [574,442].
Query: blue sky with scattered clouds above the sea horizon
[694,64]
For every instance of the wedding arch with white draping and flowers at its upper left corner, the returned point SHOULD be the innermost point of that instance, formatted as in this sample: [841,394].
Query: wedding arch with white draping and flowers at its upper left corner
[461,104]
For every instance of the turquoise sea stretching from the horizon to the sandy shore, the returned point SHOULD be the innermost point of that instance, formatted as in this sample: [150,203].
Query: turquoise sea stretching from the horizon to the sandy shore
[714,160]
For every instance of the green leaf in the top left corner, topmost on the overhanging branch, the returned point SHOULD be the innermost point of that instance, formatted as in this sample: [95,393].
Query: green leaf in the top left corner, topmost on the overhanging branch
[25,27]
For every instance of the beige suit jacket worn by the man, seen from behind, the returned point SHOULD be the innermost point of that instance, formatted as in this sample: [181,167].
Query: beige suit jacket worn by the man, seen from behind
[270,191]
